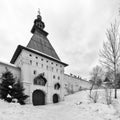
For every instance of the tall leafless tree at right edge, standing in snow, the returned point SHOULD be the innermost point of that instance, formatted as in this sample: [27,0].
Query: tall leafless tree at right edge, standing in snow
[110,54]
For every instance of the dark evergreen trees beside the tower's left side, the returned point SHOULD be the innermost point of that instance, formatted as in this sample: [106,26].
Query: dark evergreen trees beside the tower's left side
[11,89]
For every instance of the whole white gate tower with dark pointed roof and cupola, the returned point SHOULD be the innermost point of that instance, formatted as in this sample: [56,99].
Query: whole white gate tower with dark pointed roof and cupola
[42,71]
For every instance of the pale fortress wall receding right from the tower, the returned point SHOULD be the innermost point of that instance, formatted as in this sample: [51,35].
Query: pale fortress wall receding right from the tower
[74,84]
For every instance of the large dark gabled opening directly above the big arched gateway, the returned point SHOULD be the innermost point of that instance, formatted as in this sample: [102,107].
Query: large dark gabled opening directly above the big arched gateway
[40,80]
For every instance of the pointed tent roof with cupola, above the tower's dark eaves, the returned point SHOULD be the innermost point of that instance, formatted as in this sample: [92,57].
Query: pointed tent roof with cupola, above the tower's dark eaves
[39,39]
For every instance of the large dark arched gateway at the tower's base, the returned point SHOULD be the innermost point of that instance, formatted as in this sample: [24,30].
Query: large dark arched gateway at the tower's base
[38,97]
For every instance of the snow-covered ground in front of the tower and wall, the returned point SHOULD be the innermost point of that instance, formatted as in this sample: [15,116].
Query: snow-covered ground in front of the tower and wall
[75,107]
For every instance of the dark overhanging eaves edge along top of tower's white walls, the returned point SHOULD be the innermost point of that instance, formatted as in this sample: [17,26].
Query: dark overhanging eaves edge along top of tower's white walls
[20,48]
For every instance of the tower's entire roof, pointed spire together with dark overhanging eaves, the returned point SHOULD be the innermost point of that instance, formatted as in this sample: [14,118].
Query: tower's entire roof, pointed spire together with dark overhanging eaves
[39,44]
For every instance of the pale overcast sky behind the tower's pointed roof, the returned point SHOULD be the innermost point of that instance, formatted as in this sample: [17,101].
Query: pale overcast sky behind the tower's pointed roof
[76,28]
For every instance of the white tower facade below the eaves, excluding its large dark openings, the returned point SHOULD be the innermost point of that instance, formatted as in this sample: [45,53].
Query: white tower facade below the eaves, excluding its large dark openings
[32,65]
